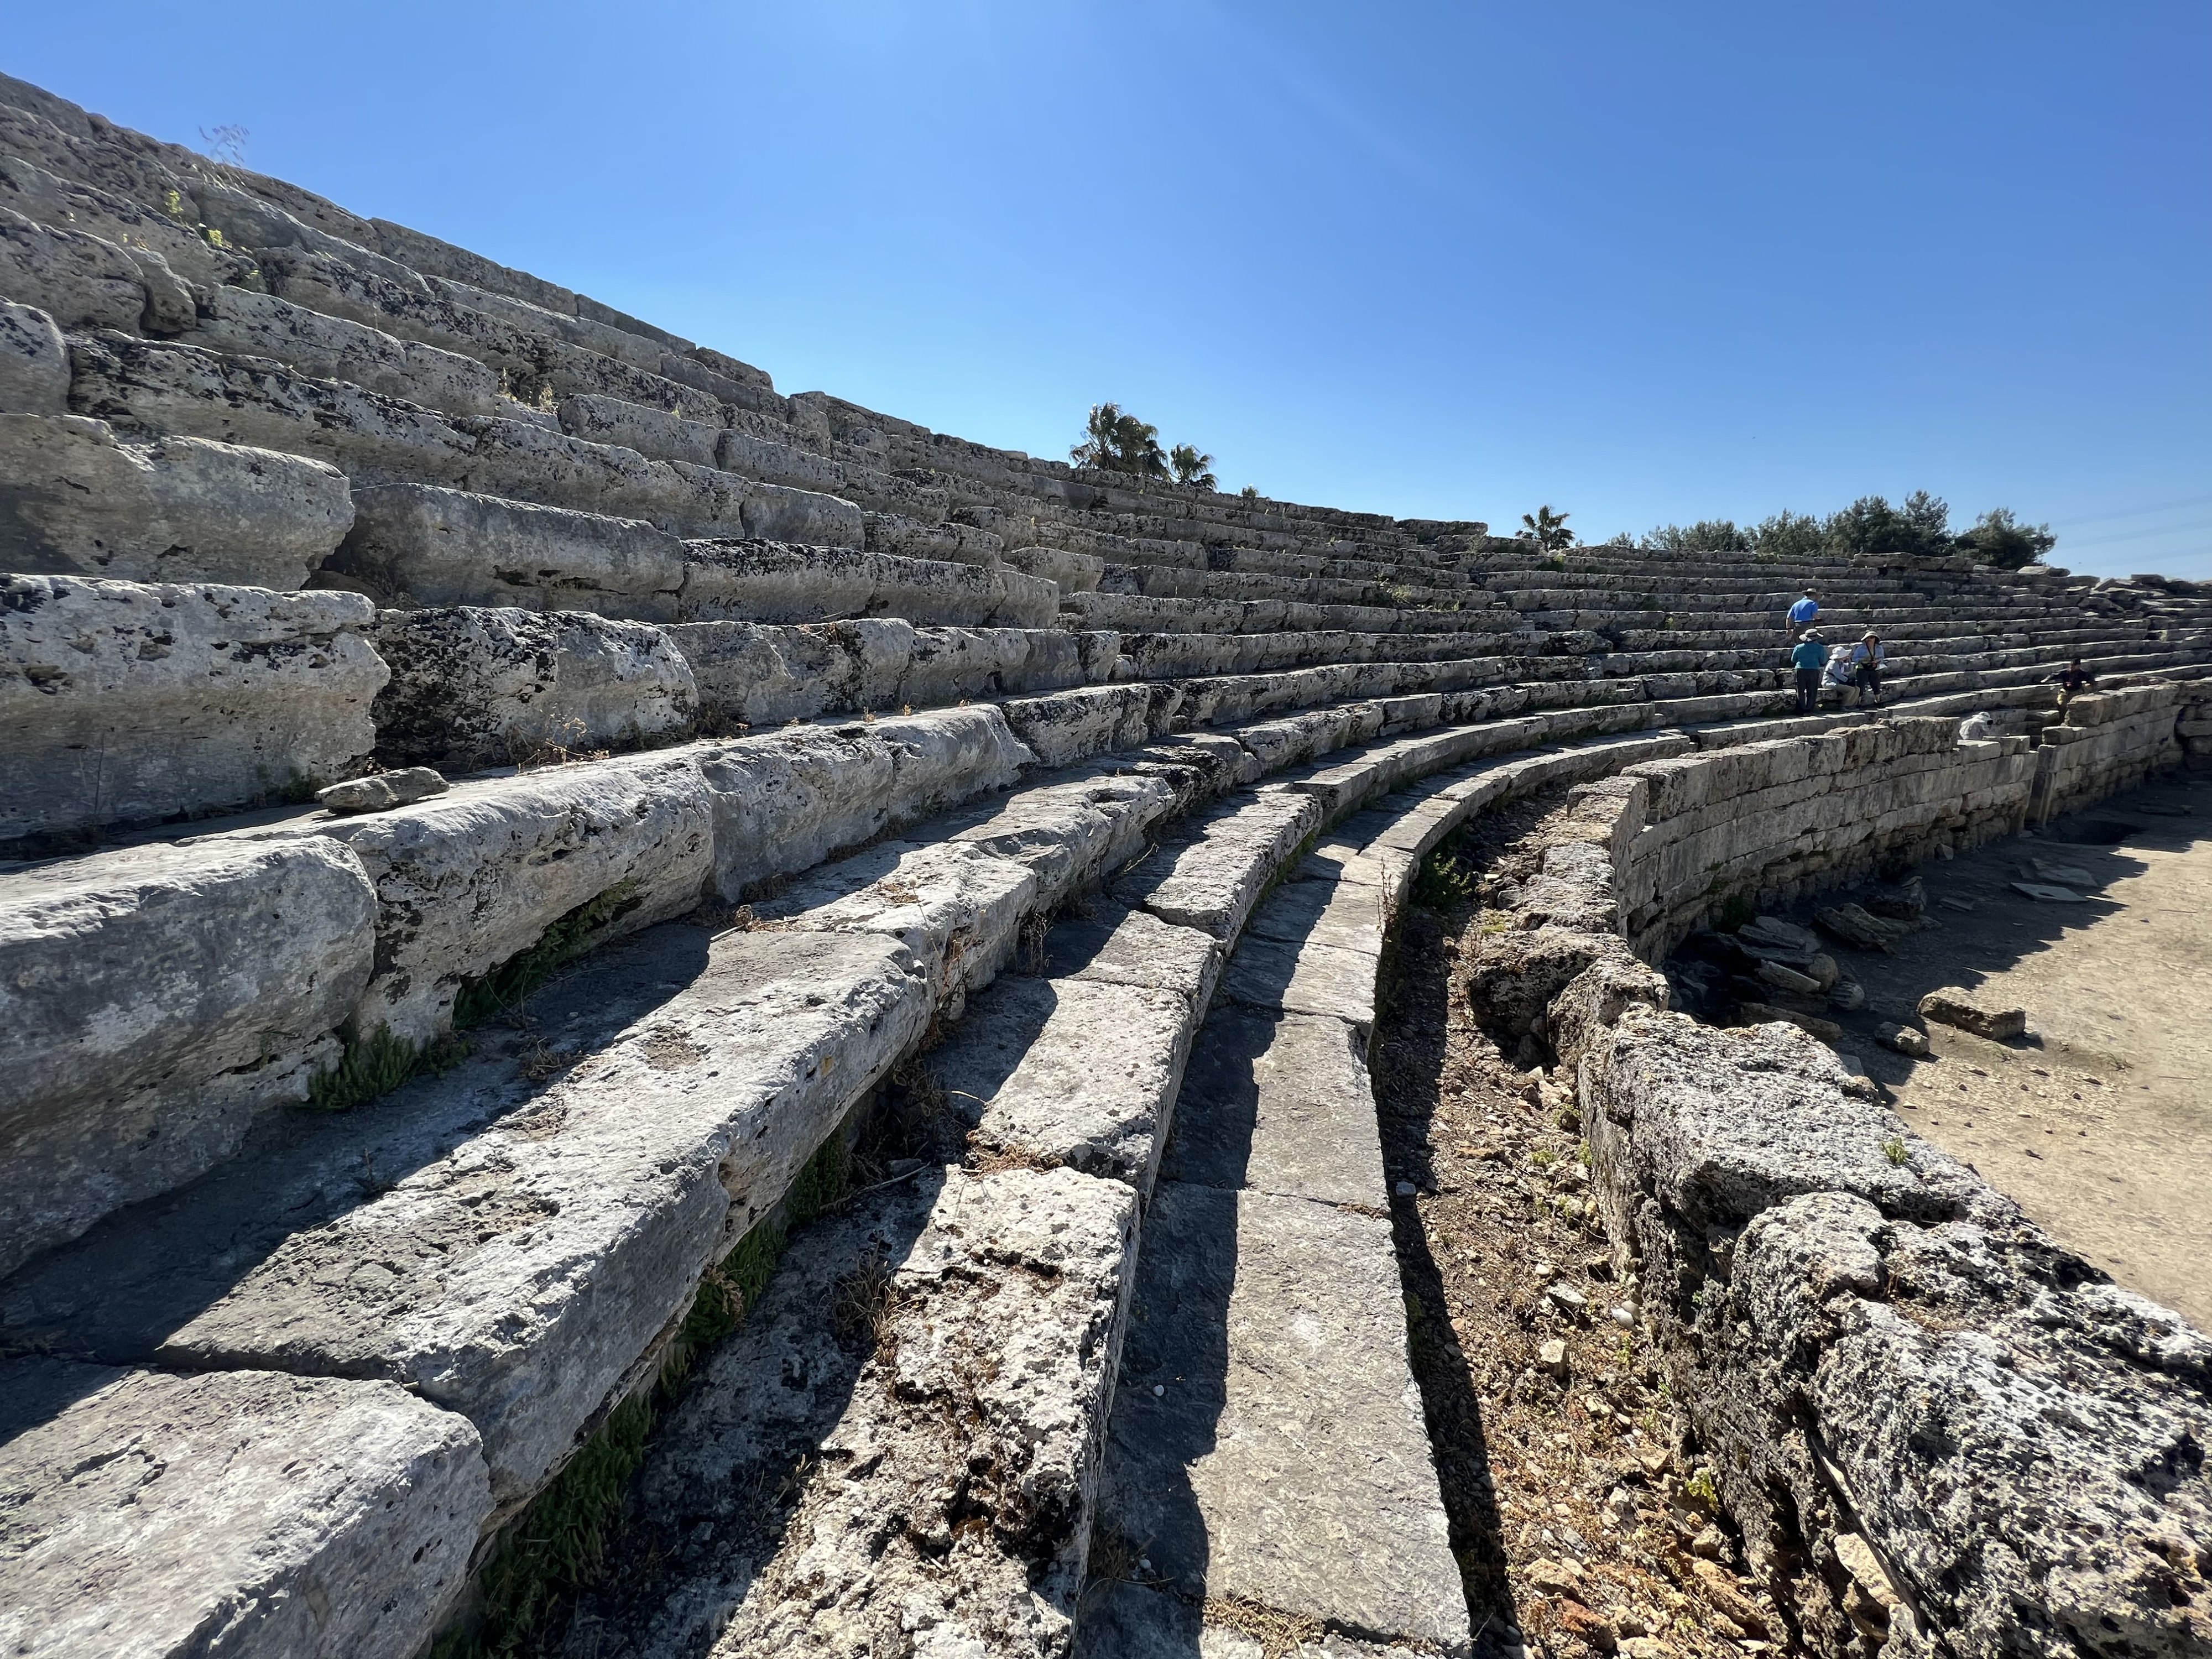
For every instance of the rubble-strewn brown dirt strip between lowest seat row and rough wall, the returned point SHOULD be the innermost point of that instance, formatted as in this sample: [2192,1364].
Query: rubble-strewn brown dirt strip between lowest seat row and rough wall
[1576,1525]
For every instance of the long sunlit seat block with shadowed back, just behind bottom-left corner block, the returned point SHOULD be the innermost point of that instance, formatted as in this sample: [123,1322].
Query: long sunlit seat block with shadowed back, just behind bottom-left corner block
[510,1251]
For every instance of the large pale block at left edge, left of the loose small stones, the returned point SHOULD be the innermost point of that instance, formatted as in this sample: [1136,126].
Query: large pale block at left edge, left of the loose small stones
[132,705]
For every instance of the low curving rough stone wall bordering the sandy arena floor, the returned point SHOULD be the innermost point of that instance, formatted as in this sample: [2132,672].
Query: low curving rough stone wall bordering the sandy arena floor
[1937,1428]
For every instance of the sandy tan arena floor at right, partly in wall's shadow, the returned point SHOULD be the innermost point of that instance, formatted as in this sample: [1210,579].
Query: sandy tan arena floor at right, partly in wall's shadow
[2100,1125]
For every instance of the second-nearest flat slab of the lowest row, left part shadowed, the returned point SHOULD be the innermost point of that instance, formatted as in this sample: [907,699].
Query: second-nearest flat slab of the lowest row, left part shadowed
[1280,1103]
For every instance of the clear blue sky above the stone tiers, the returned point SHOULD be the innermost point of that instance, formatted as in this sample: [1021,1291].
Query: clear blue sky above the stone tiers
[1430,260]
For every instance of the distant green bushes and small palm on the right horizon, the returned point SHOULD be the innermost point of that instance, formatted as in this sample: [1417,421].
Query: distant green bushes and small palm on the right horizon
[1917,528]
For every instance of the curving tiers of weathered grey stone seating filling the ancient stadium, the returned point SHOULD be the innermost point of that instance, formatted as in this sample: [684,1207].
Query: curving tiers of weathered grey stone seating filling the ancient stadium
[939,862]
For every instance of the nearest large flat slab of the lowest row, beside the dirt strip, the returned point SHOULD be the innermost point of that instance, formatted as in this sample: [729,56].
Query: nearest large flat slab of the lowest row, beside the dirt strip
[1286,1459]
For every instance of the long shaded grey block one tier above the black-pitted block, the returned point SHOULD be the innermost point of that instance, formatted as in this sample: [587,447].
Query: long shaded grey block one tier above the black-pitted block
[421,545]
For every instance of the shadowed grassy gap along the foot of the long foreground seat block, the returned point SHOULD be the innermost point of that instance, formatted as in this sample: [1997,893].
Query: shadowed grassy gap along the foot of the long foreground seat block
[556,1547]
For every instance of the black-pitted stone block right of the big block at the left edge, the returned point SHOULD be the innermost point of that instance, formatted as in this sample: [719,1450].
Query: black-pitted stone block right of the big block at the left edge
[477,687]
